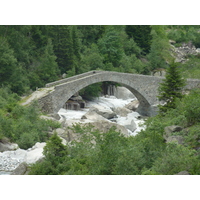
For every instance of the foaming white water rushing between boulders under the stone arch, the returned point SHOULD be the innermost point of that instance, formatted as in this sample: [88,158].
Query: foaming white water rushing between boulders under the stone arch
[107,102]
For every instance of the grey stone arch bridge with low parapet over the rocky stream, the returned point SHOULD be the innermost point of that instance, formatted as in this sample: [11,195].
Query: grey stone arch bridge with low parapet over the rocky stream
[145,88]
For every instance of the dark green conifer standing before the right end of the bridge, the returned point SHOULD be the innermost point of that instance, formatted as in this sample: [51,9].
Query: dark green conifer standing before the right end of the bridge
[171,88]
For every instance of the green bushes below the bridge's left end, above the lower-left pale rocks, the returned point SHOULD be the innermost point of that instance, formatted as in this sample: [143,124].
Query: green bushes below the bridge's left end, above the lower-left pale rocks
[22,124]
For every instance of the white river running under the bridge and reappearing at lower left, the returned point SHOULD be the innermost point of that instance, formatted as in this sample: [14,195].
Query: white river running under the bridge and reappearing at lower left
[108,102]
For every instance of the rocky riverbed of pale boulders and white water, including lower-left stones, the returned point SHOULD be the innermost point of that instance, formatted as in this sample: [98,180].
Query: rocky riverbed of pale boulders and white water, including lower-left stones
[102,113]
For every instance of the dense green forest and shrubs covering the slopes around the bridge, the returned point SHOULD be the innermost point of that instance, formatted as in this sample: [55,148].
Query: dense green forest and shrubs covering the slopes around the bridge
[33,55]
